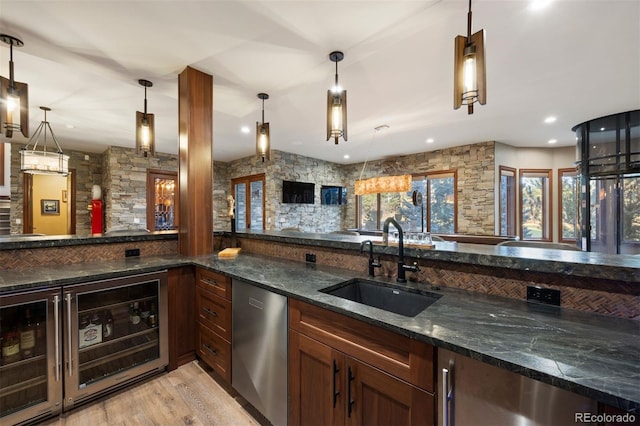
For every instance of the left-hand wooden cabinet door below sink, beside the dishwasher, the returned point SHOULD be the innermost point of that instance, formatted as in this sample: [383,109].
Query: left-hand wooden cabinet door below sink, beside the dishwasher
[316,382]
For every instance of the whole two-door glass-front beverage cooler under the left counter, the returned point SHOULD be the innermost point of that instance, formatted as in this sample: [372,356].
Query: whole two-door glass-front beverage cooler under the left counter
[65,346]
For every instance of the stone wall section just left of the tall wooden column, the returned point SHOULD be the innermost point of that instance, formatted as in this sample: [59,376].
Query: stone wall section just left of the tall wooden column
[125,186]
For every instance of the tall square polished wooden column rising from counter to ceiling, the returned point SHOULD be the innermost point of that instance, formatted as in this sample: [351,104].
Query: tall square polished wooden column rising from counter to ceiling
[196,162]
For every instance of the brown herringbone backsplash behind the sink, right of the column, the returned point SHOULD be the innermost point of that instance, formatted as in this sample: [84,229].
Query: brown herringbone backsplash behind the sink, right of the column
[576,293]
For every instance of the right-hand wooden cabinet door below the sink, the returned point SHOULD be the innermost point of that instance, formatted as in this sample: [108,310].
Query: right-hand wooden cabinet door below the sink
[376,398]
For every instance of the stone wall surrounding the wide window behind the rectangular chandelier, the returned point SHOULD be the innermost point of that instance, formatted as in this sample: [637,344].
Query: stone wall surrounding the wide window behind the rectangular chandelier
[475,171]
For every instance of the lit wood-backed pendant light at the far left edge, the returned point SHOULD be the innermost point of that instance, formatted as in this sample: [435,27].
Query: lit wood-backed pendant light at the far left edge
[14,105]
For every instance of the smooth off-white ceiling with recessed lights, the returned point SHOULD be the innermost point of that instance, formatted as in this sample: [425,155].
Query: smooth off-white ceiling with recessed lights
[574,60]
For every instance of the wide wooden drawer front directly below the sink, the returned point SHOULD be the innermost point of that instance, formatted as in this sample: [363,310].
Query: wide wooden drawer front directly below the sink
[400,356]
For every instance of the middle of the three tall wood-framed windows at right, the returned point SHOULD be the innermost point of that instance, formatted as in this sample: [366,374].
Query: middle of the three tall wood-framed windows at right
[535,205]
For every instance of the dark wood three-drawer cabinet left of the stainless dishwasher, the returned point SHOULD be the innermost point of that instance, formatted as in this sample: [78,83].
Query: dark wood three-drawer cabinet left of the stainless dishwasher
[213,316]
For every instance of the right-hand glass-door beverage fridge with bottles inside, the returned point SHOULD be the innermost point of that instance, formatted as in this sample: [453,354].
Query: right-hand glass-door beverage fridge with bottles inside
[115,332]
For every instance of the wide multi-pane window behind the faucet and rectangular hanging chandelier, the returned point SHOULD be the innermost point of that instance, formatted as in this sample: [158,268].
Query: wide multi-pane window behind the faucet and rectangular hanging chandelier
[436,213]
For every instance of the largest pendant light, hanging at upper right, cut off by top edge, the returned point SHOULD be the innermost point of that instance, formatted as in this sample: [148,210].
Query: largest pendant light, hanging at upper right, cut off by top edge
[469,78]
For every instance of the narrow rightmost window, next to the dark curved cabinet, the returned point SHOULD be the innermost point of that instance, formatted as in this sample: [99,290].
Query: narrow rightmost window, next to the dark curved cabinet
[568,196]
